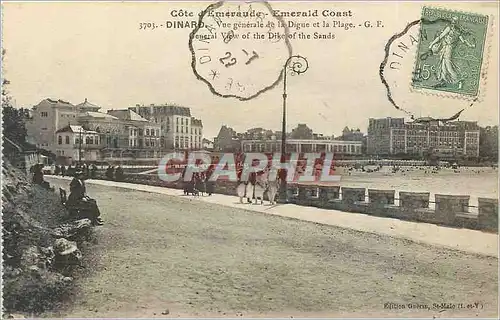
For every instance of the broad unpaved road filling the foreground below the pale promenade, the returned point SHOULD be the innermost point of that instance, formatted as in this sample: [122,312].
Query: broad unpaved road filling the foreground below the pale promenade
[158,252]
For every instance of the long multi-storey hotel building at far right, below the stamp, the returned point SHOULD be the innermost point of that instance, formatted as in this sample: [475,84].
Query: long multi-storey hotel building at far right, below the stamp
[392,136]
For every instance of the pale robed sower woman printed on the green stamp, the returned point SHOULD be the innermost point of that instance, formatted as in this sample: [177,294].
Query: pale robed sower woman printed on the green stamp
[444,45]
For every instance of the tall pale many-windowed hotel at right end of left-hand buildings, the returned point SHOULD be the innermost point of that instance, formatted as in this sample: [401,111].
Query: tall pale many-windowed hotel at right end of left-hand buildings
[178,129]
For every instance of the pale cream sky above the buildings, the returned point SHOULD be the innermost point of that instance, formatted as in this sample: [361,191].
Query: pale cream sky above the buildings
[73,51]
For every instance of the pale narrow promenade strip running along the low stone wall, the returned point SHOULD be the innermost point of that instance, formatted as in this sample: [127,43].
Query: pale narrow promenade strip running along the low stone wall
[471,241]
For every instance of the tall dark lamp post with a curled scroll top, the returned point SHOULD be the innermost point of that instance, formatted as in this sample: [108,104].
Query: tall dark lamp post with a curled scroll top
[295,65]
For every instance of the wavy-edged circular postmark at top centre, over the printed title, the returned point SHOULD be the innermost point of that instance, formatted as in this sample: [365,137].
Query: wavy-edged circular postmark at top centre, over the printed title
[239,49]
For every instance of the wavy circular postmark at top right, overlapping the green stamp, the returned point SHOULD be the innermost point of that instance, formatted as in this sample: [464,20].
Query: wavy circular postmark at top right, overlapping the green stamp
[419,79]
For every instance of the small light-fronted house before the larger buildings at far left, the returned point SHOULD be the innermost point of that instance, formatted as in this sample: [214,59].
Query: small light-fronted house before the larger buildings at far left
[74,143]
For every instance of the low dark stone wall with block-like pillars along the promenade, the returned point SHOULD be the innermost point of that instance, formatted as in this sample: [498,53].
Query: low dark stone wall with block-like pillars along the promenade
[450,210]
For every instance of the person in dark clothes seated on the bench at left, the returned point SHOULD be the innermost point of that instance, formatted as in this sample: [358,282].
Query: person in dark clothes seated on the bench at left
[78,200]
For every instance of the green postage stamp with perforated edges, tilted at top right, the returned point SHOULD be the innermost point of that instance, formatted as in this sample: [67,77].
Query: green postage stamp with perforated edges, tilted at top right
[450,51]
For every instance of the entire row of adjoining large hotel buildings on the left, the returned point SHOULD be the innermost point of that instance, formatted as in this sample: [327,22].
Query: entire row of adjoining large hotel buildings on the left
[83,132]
